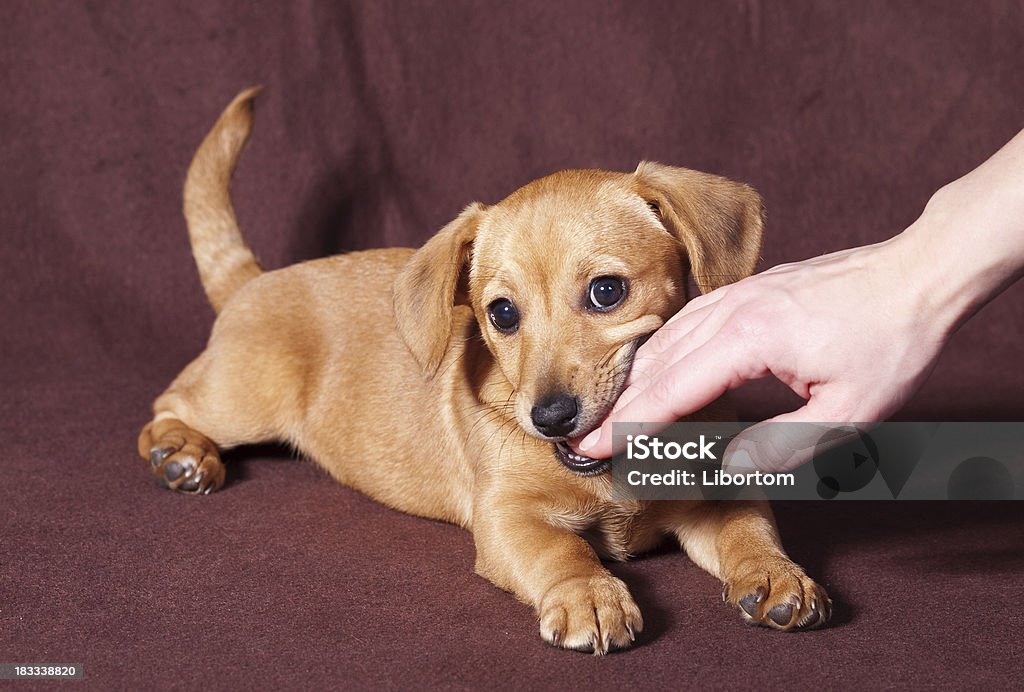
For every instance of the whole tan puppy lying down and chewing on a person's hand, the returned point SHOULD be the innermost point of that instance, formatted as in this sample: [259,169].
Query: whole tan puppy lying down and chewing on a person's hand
[444,382]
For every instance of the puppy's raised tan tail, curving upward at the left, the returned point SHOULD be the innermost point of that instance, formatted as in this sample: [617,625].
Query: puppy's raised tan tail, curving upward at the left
[225,263]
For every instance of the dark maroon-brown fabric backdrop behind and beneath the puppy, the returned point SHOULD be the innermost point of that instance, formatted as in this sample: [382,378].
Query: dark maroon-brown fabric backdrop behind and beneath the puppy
[381,120]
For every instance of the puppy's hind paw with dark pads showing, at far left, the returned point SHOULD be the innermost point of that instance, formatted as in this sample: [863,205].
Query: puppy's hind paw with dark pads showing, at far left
[186,461]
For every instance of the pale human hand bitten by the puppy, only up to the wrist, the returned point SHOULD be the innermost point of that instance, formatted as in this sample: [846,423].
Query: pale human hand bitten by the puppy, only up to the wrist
[854,333]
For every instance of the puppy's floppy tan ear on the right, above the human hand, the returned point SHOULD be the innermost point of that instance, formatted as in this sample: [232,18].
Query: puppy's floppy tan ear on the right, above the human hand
[720,222]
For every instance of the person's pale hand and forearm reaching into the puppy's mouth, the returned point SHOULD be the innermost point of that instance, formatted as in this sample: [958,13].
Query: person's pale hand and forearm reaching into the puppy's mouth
[854,333]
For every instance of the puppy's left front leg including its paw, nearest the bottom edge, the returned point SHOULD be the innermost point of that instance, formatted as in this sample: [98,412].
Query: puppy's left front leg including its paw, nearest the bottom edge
[580,604]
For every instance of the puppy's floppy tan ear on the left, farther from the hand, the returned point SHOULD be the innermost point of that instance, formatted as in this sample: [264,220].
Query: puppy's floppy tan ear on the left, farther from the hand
[425,291]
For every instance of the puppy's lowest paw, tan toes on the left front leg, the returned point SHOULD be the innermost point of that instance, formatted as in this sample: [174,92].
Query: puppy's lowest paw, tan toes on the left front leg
[593,614]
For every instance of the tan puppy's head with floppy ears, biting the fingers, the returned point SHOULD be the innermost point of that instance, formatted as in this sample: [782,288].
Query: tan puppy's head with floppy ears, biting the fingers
[569,275]
